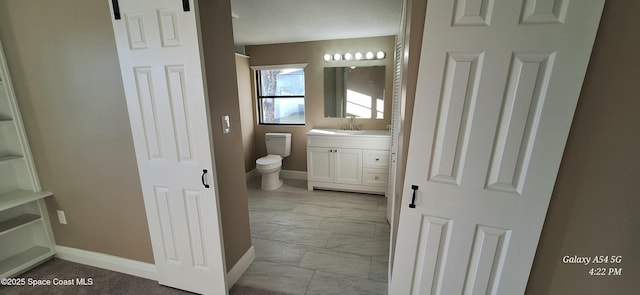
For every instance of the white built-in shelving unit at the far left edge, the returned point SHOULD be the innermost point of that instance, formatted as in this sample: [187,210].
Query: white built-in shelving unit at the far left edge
[25,232]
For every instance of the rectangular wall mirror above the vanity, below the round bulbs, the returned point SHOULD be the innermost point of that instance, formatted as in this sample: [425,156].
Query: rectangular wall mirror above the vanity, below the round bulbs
[354,91]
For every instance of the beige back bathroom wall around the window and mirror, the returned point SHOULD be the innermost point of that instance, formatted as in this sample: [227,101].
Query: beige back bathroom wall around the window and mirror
[312,53]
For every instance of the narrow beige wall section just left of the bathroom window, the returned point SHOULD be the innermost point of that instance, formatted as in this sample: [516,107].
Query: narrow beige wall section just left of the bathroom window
[247,114]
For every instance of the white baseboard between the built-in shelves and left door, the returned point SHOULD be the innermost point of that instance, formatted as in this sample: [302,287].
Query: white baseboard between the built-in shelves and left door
[110,262]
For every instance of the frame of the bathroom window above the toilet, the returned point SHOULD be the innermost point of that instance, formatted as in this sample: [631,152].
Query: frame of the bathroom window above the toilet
[259,97]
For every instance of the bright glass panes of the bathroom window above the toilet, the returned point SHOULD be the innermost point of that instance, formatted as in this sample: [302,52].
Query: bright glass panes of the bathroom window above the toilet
[281,95]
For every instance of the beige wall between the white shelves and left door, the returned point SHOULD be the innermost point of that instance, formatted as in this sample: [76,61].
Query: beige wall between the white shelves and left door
[62,58]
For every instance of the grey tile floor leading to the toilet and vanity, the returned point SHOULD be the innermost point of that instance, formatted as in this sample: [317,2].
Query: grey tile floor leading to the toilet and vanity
[317,242]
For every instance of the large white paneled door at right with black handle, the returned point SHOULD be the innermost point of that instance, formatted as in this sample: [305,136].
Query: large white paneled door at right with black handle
[498,84]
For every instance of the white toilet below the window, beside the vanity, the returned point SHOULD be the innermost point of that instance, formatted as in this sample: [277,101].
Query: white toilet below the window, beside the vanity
[278,147]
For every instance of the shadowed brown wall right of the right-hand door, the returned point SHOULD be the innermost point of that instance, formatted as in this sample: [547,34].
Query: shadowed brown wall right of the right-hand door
[594,208]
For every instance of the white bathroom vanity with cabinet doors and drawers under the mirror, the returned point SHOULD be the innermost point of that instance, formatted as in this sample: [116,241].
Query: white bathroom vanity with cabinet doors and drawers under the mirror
[348,160]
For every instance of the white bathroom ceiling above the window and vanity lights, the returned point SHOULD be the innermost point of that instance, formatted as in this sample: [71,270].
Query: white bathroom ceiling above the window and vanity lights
[284,21]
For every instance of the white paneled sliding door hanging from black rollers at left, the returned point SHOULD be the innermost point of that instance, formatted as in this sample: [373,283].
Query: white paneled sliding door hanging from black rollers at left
[159,53]
